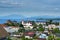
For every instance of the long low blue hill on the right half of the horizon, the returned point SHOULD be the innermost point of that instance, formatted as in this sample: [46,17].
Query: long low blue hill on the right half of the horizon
[44,17]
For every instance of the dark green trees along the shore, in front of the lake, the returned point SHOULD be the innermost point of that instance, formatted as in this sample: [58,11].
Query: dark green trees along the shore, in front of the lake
[15,23]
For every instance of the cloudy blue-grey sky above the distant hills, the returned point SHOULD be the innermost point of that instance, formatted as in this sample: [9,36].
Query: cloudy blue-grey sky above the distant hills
[30,7]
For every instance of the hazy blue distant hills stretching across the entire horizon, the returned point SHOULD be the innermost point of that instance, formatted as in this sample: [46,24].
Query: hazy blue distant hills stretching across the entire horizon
[21,17]
